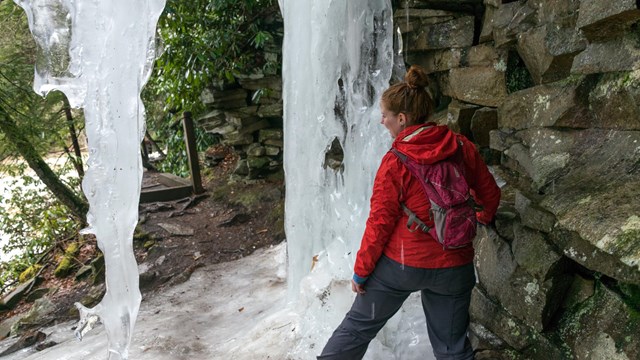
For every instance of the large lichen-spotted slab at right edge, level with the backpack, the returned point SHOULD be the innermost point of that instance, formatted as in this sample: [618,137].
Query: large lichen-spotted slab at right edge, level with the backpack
[592,203]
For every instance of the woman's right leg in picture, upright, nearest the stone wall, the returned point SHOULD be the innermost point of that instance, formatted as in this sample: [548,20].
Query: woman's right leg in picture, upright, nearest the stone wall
[446,305]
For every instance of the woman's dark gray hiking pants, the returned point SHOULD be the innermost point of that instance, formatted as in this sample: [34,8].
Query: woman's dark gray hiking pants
[445,293]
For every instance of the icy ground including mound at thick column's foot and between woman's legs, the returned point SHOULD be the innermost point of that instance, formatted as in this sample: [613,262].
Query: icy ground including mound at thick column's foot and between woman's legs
[236,310]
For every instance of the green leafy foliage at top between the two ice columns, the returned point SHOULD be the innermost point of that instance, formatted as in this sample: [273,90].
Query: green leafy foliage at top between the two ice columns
[208,42]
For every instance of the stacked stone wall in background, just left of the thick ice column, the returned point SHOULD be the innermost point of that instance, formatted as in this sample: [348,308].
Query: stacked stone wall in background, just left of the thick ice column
[247,118]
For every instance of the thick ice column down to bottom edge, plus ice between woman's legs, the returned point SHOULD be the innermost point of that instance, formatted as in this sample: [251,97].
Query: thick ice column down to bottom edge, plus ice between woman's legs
[338,58]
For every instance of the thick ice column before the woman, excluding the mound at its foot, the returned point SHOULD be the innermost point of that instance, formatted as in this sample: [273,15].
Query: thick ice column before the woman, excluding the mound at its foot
[338,60]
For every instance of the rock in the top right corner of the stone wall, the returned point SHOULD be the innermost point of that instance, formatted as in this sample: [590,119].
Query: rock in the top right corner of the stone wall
[600,20]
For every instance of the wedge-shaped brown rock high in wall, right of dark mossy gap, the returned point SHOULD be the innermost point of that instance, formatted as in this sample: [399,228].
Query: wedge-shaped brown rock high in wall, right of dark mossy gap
[548,51]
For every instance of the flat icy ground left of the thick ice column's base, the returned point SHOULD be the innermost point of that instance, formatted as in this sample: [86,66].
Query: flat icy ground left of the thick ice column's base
[208,317]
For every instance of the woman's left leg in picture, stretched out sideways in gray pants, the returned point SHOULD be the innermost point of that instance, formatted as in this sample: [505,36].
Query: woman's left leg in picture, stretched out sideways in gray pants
[367,316]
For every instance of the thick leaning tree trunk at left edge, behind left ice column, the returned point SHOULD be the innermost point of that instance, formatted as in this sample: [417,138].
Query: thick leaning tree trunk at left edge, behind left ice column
[64,194]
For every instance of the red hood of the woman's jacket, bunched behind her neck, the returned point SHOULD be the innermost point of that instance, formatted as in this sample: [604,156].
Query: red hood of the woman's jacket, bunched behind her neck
[427,143]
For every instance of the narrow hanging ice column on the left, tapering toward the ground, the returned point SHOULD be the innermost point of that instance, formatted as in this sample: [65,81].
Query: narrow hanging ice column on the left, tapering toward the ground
[100,54]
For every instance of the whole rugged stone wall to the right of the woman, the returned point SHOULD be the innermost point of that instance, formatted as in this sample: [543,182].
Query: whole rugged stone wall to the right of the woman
[550,92]
